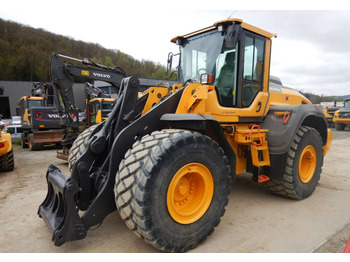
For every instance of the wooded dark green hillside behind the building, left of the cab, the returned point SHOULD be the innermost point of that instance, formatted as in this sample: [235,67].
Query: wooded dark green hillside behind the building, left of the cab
[25,54]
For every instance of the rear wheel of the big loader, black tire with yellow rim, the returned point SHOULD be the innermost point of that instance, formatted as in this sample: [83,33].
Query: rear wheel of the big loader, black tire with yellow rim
[303,166]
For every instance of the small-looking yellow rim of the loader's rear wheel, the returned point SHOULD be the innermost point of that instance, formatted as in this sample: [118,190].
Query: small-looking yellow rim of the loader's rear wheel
[307,164]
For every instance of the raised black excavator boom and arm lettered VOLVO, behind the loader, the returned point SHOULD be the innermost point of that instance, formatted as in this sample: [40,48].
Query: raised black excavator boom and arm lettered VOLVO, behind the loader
[62,74]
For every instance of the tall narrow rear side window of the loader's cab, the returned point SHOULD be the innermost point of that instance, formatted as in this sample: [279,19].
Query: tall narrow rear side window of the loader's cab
[254,48]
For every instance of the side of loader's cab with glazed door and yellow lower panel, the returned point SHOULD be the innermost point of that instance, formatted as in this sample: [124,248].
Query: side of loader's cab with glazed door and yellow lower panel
[243,95]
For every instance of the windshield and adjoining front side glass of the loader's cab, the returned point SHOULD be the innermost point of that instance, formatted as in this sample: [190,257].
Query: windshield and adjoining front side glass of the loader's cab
[208,53]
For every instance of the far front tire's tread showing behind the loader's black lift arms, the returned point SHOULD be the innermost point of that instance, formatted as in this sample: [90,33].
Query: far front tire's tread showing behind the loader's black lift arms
[79,146]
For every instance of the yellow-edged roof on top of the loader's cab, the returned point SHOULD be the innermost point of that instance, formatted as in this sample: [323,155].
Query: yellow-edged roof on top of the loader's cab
[230,20]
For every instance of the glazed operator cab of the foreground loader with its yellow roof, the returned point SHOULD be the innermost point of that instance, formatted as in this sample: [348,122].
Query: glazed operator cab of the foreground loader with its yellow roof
[232,56]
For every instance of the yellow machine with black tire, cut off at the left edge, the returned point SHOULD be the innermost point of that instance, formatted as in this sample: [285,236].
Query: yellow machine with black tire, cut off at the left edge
[7,162]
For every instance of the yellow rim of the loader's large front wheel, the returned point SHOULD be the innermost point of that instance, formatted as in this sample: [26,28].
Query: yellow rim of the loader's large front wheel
[190,193]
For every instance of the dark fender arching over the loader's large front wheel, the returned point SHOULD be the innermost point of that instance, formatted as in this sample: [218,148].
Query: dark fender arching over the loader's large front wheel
[203,124]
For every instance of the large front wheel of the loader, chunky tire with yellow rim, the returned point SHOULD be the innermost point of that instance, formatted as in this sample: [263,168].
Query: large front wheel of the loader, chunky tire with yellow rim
[172,188]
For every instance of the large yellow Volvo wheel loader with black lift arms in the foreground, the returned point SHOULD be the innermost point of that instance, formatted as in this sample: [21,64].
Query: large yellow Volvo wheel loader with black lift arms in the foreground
[166,160]
